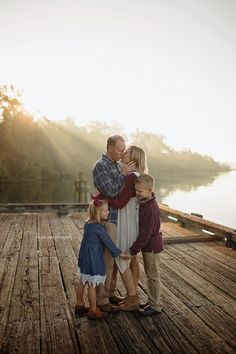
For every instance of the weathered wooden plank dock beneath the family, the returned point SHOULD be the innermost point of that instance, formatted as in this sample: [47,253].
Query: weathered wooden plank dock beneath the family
[38,275]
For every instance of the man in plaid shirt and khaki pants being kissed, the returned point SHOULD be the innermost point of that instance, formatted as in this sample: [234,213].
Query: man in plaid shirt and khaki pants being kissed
[109,177]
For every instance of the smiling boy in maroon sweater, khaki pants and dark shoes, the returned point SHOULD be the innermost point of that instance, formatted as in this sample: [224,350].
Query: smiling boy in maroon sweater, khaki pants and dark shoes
[149,241]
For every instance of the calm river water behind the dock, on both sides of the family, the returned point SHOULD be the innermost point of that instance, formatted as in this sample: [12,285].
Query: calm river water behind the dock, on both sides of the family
[212,196]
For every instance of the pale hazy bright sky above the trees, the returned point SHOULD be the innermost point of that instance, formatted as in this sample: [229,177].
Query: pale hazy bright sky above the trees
[161,66]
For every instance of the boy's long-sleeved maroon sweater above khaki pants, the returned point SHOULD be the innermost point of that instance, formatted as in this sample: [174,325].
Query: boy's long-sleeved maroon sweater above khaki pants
[150,237]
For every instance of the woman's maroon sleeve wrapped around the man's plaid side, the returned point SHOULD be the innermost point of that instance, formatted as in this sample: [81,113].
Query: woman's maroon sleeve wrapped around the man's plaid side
[127,192]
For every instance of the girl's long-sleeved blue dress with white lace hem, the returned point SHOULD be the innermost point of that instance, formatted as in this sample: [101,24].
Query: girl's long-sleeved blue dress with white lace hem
[91,259]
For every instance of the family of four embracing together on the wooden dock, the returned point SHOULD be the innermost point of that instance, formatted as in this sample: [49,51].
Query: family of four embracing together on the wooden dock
[124,220]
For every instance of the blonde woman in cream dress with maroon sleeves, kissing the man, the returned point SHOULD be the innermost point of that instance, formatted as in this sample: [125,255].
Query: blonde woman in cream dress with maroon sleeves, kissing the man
[127,225]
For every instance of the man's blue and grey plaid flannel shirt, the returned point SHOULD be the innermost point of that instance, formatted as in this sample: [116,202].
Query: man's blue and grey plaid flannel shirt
[108,180]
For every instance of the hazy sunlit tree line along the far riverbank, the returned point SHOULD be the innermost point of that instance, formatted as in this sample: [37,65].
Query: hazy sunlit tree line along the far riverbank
[44,149]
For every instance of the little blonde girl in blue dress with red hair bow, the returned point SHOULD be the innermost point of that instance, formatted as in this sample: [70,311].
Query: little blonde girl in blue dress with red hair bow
[90,261]
